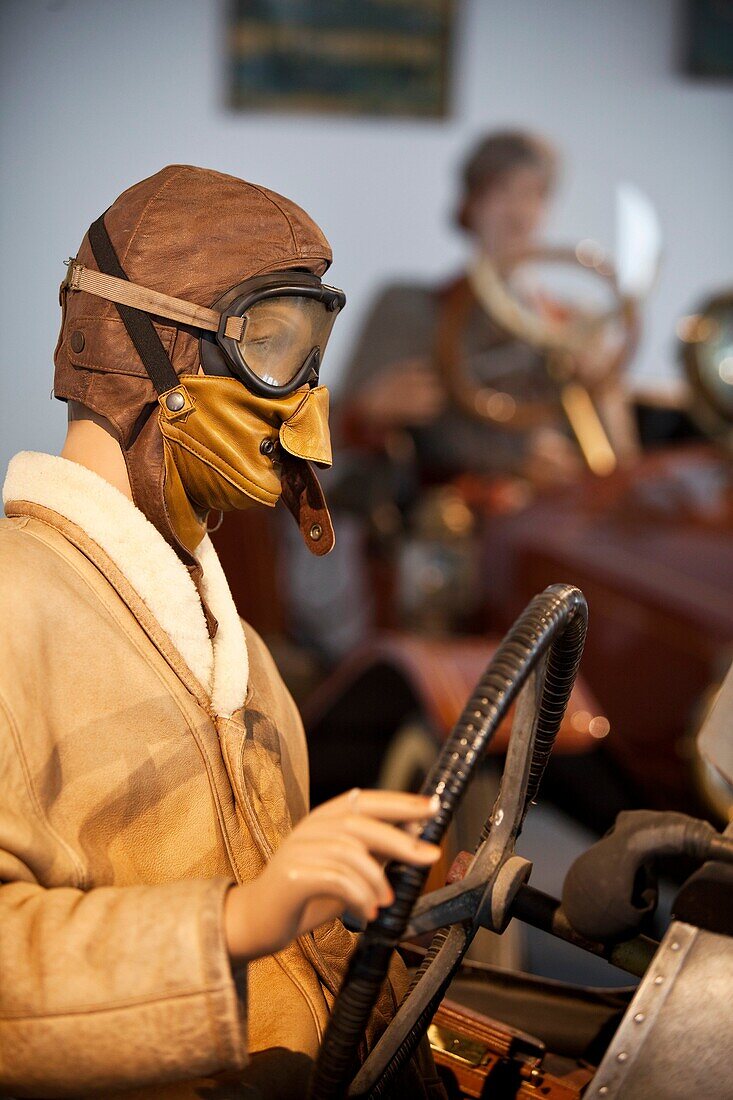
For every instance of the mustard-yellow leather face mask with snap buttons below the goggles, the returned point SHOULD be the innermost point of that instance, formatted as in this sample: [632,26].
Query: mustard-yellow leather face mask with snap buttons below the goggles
[227,449]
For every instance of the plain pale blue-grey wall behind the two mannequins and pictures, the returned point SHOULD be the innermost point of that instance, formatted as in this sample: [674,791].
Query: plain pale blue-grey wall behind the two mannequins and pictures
[97,94]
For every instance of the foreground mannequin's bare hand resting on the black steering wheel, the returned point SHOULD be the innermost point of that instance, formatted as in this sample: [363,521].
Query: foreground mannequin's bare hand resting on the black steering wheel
[331,863]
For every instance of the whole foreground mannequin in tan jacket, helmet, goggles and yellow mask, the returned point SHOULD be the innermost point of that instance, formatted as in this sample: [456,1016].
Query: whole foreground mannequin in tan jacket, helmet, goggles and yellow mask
[169,905]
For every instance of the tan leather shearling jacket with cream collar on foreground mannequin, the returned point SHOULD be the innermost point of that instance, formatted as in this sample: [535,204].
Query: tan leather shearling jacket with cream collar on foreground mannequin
[144,769]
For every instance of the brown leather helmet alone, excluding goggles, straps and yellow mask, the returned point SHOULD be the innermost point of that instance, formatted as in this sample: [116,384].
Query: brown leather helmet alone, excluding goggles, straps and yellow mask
[188,233]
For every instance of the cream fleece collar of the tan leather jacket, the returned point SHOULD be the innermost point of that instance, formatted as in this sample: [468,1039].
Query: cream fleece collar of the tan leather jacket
[150,565]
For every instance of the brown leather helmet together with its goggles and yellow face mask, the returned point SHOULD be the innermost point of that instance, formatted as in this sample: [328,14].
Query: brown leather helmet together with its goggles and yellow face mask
[195,322]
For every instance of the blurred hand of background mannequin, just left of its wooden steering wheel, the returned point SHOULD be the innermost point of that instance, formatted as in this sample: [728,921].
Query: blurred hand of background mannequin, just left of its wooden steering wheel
[409,397]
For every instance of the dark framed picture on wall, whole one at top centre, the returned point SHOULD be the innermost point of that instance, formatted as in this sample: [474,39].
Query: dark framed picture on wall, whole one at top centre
[373,58]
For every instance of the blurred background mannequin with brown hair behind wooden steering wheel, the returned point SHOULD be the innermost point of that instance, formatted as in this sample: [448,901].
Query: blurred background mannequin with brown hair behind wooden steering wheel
[392,382]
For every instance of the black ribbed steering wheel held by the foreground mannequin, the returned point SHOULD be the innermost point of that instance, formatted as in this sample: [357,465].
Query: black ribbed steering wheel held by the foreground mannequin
[535,665]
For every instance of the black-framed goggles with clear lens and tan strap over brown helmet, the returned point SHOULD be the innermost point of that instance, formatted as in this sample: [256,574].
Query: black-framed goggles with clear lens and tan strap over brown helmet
[270,332]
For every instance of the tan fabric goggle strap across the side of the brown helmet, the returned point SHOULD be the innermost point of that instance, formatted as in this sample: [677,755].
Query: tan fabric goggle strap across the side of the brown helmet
[125,293]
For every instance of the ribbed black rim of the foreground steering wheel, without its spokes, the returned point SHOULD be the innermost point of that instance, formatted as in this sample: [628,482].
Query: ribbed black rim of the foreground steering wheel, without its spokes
[554,621]
